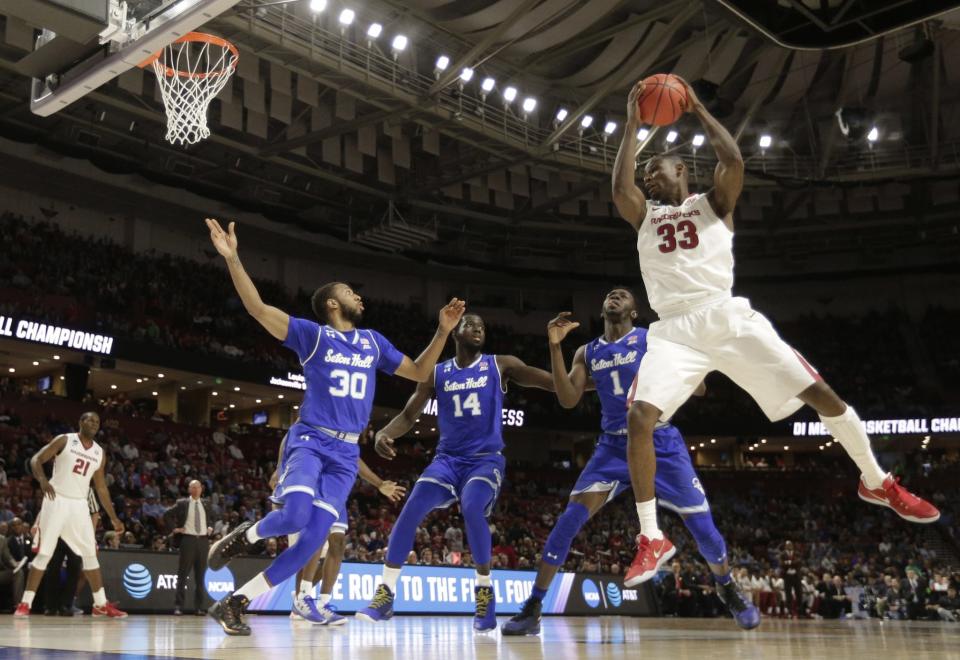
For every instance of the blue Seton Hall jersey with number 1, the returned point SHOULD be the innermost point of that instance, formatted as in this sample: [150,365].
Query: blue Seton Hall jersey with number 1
[613,366]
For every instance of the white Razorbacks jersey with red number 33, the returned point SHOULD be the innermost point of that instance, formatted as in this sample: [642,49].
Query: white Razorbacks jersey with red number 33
[686,255]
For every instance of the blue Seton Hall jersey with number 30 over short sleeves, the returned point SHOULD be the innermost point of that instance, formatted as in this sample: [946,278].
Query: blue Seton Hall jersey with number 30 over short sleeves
[340,372]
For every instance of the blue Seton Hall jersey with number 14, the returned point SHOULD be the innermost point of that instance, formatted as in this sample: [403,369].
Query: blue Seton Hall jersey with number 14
[469,407]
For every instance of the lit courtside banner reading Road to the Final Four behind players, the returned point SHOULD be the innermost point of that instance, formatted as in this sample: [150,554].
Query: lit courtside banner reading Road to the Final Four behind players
[147,582]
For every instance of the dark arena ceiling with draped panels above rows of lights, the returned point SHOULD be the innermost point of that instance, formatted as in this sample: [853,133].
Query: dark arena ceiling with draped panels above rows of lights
[335,131]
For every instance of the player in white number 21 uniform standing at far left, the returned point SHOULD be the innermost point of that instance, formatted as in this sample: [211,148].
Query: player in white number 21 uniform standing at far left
[77,459]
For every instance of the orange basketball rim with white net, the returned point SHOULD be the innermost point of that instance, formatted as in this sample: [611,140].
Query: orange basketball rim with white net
[191,71]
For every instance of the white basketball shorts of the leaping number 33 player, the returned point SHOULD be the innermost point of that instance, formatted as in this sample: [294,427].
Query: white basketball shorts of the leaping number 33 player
[726,336]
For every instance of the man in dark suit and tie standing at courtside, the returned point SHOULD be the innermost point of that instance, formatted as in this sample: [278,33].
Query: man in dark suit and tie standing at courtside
[192,520]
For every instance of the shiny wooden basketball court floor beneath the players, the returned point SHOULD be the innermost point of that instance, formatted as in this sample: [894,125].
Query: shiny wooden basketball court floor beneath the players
[452,638]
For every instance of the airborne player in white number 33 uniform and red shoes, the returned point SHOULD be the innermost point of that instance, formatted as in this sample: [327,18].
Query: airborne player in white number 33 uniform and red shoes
[685,246]
